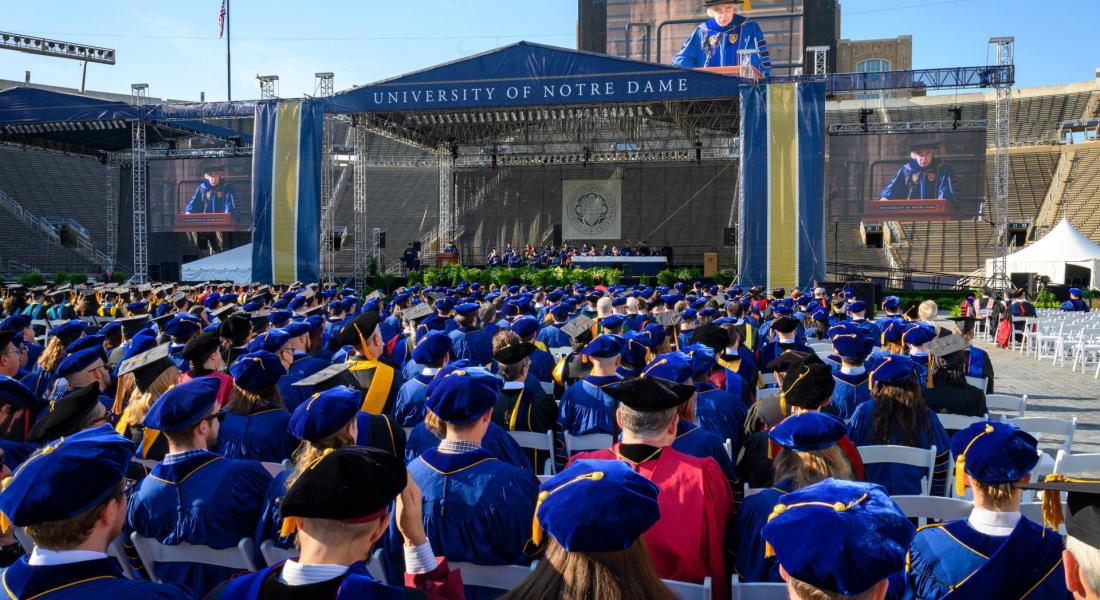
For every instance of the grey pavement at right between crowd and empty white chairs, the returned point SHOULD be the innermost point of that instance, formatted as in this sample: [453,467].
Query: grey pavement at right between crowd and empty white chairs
[1052,391]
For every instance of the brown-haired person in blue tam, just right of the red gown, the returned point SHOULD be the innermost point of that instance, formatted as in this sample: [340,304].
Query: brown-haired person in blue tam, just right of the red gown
[809,454]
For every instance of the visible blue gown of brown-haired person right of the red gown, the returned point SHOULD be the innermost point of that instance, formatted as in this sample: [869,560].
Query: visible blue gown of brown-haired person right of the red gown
[752,517]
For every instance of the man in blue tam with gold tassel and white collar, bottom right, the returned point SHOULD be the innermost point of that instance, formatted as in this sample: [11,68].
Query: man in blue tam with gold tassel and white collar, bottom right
[995,553]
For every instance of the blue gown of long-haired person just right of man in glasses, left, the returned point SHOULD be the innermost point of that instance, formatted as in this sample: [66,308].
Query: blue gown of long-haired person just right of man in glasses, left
[261,437]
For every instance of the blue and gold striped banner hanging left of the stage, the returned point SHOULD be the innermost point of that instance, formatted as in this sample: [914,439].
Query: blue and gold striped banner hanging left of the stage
[287,192]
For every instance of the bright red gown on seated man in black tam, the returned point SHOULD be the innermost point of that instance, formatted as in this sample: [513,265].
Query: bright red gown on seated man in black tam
[688,542]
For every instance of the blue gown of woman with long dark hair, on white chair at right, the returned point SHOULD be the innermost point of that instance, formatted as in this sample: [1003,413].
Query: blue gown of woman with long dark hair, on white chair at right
[901,479]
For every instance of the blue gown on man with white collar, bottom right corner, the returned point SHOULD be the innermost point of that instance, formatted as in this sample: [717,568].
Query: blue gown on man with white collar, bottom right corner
[955,561]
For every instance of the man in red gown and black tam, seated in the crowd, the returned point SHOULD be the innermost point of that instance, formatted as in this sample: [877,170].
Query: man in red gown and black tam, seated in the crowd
[687,543]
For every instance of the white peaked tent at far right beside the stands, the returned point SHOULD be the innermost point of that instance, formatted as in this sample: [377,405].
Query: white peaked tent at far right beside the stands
[1063,246]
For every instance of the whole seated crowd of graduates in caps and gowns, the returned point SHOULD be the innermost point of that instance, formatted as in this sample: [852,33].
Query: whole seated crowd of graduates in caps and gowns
[166,412]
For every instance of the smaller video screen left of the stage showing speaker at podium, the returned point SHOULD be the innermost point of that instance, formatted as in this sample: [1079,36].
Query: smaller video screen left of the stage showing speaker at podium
[201,195]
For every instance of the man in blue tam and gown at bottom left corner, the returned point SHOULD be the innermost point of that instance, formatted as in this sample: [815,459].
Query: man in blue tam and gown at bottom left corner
[72,503]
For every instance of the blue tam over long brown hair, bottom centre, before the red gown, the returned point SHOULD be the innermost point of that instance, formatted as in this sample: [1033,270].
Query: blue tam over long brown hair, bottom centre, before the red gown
[597,506]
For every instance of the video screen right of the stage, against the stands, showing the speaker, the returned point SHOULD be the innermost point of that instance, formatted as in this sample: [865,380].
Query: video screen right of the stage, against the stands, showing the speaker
[929,177]
